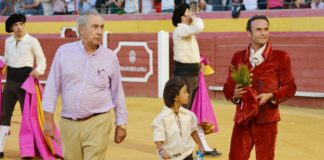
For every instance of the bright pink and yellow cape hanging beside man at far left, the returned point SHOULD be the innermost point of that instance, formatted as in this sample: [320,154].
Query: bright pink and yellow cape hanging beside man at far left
[32,141]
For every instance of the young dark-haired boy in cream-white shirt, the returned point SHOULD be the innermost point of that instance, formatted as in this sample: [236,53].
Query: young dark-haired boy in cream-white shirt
[174,129]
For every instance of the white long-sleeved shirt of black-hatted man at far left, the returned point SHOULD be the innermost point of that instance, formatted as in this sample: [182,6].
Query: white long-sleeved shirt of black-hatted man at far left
[22,53]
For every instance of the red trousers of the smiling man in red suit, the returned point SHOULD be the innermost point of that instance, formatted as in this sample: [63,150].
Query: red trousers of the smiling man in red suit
[262,136]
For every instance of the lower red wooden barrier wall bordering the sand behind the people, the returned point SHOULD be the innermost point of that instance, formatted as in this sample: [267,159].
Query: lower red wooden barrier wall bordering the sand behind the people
[305,53]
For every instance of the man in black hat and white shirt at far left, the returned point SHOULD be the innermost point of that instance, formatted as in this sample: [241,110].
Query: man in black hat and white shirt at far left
[20,51]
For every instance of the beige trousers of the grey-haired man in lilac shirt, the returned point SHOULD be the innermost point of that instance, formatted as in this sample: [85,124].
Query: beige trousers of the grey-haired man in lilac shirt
[86,140]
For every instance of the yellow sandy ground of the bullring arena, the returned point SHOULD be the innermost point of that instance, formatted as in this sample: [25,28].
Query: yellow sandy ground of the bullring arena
[301,132]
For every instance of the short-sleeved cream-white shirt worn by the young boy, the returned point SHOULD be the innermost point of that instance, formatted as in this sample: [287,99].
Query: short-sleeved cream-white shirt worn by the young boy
[165,129]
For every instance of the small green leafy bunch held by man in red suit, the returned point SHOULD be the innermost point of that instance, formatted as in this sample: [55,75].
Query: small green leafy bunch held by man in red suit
[241,75]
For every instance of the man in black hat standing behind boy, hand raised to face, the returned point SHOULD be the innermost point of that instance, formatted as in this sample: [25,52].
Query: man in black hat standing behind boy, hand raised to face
[187,57]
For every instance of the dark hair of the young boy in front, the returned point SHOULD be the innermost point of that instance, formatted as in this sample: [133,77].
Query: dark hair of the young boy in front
[171,90]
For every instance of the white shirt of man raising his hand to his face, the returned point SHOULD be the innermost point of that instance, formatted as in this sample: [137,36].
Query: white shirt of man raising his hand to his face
[185,46]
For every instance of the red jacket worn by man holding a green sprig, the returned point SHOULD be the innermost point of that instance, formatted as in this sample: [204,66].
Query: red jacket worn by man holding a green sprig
[272,75]
